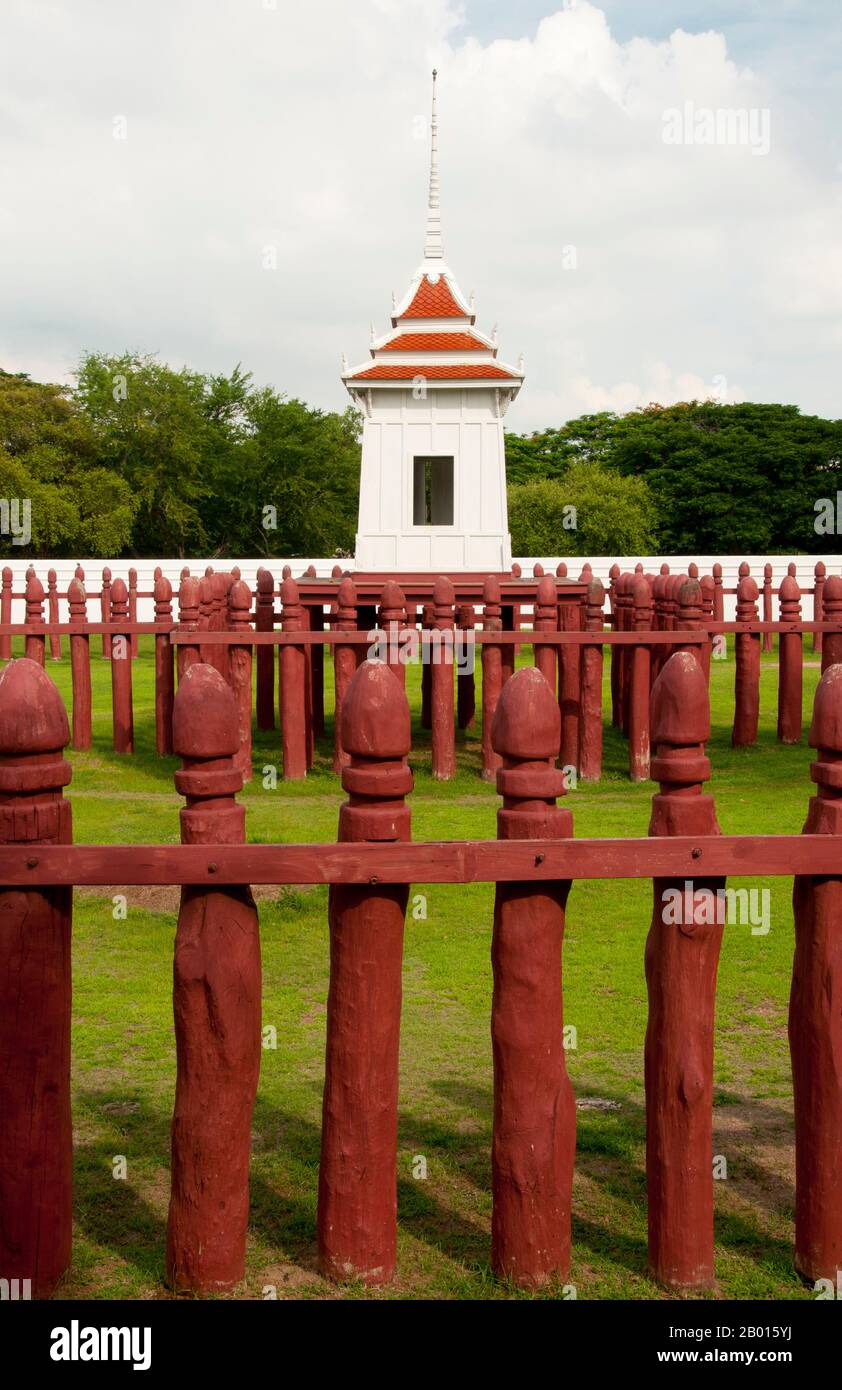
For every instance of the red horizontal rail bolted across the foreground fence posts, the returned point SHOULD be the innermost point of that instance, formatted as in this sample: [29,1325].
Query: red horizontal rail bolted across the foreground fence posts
[470,861]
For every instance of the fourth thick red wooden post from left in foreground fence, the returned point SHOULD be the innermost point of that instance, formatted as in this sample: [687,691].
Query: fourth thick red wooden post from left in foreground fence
[534,1135]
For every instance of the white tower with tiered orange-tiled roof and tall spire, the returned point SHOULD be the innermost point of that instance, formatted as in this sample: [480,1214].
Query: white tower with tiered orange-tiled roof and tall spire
[433,484]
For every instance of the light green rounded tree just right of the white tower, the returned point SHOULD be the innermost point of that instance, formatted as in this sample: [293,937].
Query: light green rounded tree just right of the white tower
[593,511]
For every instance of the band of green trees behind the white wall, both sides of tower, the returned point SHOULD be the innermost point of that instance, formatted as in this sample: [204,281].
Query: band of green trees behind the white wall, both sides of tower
[144,459]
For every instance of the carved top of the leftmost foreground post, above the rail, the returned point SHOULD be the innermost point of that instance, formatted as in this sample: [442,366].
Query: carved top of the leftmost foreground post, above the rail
[34,733]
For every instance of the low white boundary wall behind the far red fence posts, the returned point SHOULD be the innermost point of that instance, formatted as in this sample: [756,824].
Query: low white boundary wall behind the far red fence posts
[601,565]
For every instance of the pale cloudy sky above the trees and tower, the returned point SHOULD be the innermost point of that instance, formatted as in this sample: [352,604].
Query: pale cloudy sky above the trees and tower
[645,195]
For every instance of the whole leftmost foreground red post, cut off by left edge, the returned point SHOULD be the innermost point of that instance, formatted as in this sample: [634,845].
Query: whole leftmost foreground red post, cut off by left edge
[35,989]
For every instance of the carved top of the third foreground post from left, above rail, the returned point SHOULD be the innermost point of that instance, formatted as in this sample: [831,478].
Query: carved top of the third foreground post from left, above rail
[376,733]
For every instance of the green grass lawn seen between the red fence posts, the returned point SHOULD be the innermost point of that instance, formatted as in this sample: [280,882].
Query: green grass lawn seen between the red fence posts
[124,1057]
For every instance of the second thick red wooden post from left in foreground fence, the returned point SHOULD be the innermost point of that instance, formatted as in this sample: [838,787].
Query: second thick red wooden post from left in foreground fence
[216,1003]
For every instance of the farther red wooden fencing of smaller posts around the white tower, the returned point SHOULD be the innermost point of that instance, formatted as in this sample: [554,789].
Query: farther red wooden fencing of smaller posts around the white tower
[223,623]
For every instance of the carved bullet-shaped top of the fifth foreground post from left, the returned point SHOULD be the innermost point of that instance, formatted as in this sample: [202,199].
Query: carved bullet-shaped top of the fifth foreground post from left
[680,723]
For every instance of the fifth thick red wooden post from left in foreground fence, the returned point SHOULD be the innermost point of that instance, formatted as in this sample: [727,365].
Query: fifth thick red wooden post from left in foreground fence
[682,967]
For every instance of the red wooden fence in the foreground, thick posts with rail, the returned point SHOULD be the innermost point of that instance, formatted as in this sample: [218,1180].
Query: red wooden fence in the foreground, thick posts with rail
[533,864]
